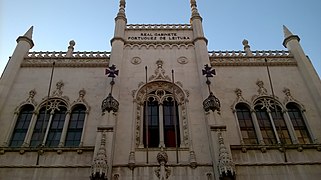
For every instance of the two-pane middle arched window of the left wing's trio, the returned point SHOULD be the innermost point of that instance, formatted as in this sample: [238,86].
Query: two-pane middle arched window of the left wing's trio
[49,125]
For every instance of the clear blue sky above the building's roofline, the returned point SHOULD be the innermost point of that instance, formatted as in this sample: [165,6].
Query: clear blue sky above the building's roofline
[226,23]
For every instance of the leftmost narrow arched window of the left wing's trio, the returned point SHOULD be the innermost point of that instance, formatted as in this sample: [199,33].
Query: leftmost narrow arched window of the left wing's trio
[21,126]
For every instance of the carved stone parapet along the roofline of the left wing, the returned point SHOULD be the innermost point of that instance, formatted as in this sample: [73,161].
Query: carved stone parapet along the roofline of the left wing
[61,59]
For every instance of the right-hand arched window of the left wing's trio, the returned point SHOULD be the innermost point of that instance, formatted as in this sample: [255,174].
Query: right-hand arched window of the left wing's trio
[75,126]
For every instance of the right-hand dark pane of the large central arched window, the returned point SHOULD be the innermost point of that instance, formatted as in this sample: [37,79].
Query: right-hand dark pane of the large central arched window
[170,121]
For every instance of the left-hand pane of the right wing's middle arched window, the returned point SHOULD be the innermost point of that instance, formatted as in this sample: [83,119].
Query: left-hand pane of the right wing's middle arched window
[265,125]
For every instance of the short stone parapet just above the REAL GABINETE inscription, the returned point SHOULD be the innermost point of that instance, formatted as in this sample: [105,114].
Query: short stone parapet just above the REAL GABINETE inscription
[158,26]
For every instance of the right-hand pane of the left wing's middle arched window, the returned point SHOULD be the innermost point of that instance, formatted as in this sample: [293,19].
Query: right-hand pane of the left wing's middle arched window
[56,127]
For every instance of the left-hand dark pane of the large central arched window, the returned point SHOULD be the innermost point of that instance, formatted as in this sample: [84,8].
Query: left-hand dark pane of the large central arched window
[153,123]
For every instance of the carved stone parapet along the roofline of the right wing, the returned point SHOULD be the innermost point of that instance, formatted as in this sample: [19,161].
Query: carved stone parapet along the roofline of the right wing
[256,58]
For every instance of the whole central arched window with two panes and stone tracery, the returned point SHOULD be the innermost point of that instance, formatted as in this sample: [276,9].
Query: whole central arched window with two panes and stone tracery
[162,125]
